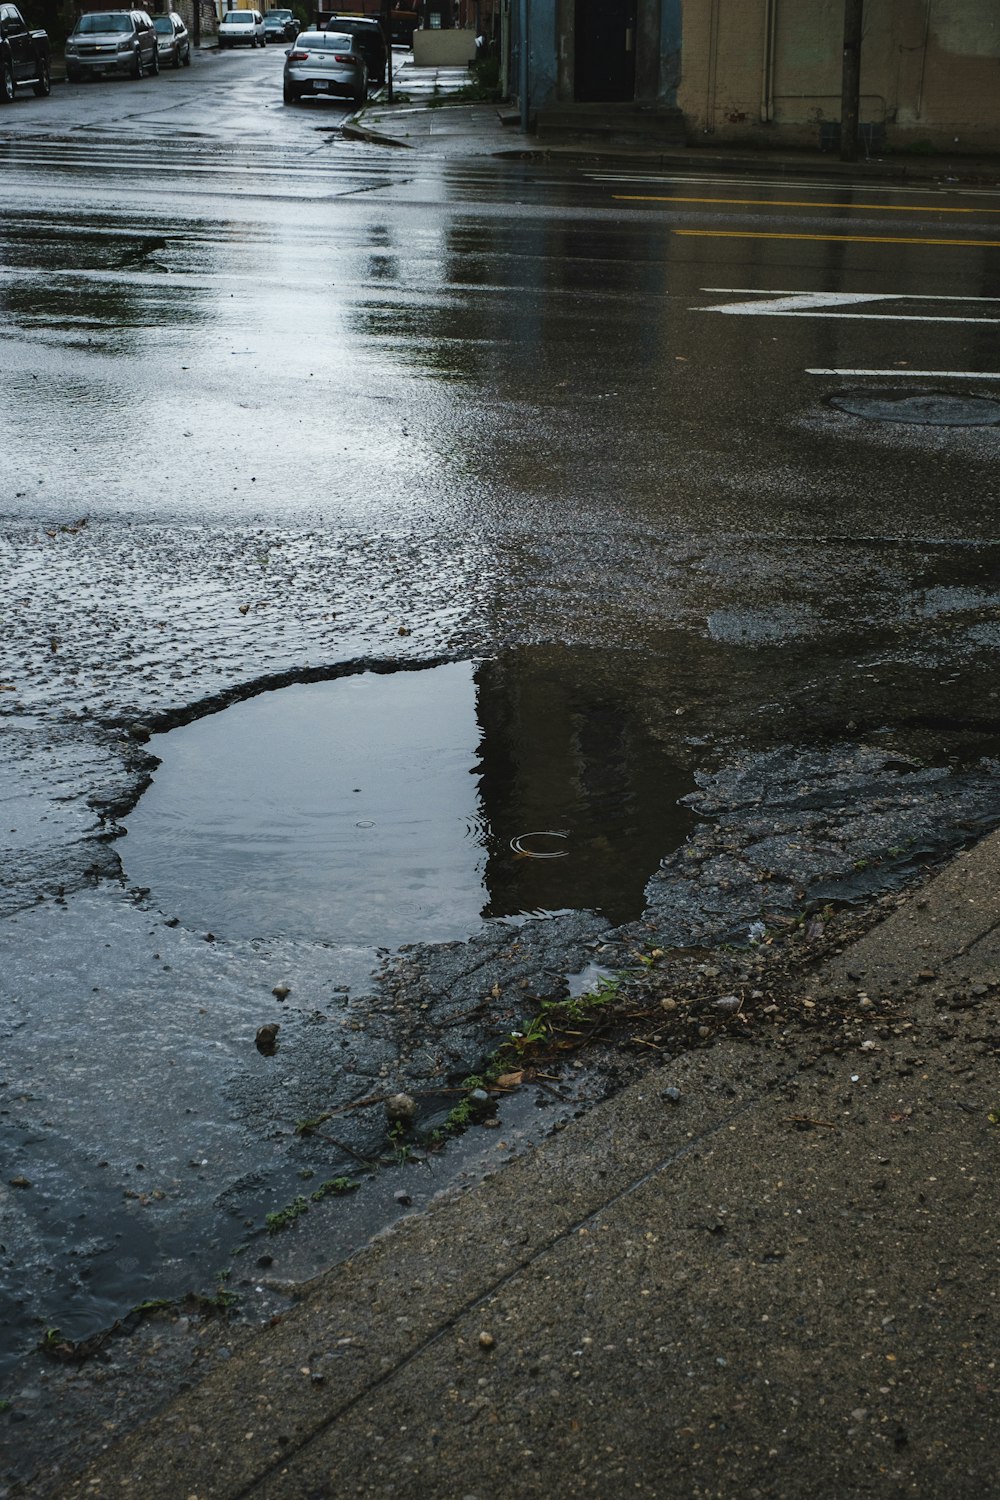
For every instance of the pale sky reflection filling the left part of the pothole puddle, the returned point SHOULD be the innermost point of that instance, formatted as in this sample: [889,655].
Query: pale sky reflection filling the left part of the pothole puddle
[338,811]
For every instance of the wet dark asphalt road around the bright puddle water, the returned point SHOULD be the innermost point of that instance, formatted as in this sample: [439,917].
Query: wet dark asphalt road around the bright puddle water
[710,464]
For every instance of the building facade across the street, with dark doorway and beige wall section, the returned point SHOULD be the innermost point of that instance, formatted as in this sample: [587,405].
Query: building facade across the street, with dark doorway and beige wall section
[768,73]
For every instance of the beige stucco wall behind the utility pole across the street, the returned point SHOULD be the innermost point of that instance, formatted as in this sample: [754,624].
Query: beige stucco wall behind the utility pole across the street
[770,71]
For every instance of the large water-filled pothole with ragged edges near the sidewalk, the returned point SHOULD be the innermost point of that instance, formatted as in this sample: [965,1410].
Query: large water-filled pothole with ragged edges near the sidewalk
[410,806]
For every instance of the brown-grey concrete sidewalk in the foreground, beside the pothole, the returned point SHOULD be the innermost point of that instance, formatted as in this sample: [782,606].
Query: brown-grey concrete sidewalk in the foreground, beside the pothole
[779,1279]
